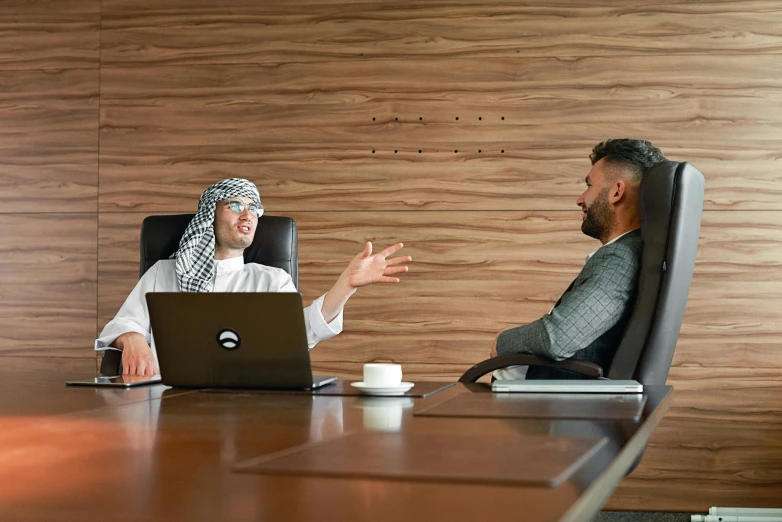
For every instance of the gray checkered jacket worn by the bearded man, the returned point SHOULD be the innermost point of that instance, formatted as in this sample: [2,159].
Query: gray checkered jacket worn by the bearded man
[588,321]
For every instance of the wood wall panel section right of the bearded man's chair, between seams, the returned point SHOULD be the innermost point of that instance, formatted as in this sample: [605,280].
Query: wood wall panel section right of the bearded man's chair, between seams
[732,319]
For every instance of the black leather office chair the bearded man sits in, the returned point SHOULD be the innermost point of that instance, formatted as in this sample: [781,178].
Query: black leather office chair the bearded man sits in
[671,207]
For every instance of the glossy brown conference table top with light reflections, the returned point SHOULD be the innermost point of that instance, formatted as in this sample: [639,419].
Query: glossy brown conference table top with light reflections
[156,453]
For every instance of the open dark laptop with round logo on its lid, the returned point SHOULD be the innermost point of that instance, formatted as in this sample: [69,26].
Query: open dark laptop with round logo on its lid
[232,340]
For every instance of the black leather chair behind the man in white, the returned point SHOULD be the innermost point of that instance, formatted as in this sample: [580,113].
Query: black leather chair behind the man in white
[275,244]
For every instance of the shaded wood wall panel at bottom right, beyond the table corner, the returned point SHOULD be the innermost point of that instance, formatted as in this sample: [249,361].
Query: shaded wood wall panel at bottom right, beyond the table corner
[718,444]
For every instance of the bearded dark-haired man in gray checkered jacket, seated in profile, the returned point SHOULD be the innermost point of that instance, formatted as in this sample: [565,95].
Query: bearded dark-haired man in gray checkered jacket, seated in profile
[588,321]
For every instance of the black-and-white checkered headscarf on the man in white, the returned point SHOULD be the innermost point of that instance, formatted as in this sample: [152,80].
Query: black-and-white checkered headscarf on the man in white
[195,257]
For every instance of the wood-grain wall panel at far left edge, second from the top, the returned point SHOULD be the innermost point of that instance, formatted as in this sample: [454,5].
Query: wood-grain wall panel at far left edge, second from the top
[49,141]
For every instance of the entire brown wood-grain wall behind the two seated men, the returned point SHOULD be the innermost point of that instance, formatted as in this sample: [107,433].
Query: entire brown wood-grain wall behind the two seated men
[285,94]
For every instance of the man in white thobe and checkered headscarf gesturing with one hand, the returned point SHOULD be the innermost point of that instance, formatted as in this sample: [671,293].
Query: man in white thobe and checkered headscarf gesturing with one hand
[210,259]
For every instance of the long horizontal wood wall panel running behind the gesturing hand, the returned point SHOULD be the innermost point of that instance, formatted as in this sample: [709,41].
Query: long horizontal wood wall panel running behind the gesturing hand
[476,273]
